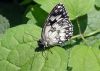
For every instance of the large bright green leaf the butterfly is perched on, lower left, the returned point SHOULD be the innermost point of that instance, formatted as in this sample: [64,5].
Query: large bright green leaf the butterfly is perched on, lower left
[18,51]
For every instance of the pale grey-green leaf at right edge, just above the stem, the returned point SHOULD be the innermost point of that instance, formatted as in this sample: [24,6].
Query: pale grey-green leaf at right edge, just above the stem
[93,22]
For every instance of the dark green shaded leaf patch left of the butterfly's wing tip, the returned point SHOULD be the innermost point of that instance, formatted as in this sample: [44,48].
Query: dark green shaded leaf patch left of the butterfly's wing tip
[40,15]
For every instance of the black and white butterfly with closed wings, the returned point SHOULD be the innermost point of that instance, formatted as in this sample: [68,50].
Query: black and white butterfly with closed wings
[57,28]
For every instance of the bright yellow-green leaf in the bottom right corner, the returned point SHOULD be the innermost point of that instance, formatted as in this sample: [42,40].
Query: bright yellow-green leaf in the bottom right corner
[84,58]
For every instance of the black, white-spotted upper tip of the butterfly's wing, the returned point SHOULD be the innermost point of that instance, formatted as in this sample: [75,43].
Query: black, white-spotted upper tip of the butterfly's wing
[57,10]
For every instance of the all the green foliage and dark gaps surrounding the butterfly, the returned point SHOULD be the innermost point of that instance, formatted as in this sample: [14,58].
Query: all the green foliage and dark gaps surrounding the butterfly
[20,29]
